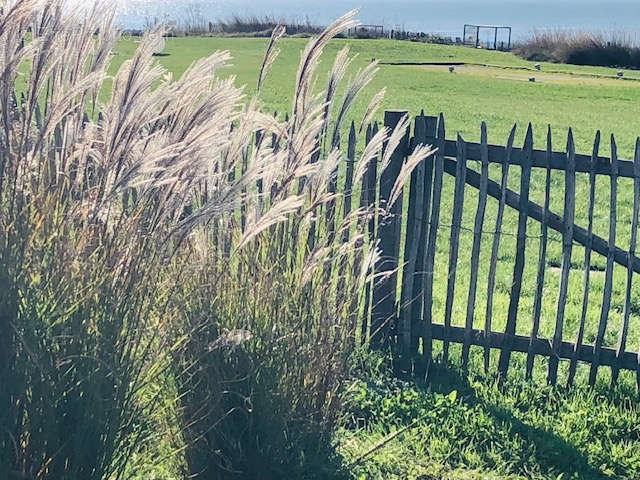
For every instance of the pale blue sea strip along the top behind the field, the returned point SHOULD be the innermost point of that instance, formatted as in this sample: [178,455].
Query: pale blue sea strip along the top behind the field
[445,17]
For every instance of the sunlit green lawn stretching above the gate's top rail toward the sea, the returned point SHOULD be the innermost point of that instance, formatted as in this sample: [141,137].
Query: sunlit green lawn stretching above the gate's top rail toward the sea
[465,99]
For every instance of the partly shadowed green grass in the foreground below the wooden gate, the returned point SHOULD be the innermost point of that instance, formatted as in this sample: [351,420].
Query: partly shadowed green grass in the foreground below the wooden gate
[470,426]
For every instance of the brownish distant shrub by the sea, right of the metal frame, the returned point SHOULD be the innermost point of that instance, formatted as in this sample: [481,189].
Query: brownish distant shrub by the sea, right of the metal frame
[580,48]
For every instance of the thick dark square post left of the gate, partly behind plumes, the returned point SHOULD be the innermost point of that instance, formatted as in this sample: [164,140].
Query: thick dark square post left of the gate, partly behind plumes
[384,309]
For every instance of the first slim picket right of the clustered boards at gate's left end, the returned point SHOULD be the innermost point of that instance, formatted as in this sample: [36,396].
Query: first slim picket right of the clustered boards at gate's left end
[454,241]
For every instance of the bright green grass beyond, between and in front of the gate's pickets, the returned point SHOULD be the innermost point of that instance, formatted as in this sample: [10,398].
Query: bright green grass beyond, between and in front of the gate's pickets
[513,432]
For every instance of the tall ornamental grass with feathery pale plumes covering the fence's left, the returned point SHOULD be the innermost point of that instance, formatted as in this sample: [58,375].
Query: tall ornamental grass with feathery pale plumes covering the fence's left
[160,257]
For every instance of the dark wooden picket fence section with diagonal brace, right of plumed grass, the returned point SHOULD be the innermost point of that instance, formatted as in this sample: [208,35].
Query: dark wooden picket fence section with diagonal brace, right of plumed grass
[400,309]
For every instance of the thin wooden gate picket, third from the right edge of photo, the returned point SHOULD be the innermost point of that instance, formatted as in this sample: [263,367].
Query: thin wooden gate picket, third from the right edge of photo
[587,263]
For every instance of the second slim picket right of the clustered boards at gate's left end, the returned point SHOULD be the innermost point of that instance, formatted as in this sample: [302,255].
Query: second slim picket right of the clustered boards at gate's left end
[477,240]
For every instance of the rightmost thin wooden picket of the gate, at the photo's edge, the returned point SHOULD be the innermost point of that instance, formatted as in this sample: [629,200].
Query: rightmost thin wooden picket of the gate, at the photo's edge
[624,328]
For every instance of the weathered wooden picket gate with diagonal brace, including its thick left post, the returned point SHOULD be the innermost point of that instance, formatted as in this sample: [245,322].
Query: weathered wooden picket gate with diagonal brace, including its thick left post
[450,196]
